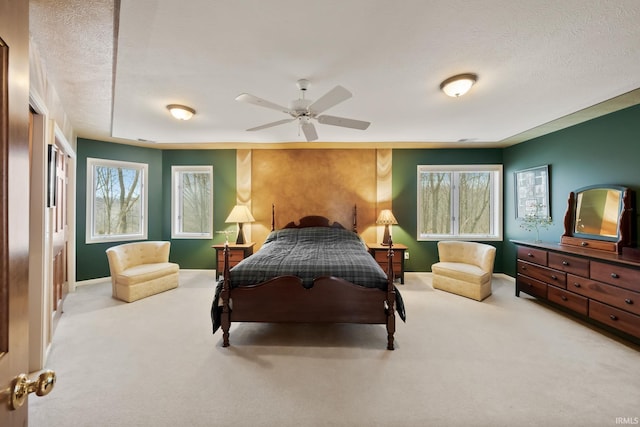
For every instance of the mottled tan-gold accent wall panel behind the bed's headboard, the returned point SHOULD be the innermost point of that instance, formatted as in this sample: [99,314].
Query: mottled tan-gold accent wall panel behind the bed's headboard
[317,182]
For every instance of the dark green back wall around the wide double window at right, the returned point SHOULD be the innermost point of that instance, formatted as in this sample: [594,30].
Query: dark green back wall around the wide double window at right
[405,193]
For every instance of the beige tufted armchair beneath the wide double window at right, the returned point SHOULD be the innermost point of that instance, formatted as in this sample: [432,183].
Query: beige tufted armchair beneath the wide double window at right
[465,268]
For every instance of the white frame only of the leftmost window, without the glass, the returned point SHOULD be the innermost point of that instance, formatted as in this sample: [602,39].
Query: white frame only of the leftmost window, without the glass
[92,163]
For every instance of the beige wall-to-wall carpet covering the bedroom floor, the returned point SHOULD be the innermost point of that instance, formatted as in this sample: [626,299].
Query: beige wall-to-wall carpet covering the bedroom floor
[506,361]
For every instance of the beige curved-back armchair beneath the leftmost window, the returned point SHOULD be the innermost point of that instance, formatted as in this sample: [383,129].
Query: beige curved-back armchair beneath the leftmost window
[141,269]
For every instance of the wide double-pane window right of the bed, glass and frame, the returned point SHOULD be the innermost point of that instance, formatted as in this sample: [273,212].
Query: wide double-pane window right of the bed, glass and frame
[460,202]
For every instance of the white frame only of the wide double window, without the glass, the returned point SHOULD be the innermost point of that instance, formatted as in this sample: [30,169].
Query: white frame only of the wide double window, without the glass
[496,196]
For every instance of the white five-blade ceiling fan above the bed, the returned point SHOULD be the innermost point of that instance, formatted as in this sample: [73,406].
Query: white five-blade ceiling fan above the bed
[304,110]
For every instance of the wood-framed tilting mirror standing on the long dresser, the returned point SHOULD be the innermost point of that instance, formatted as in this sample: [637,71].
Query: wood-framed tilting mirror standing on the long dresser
[599,217]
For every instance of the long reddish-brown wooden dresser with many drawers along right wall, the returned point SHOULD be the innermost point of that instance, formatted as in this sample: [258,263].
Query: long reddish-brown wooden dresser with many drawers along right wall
[600,286]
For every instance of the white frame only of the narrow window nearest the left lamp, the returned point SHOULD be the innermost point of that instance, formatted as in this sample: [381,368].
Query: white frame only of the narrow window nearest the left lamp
[176,222]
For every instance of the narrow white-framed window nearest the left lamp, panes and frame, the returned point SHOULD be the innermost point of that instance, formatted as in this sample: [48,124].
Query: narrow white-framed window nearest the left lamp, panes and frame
[192,202]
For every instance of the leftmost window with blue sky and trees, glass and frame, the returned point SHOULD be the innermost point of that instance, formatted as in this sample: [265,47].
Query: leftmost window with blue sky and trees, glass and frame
[116,200]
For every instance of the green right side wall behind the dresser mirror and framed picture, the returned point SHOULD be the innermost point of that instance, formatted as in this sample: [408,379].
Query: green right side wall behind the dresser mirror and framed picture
[605,150]
